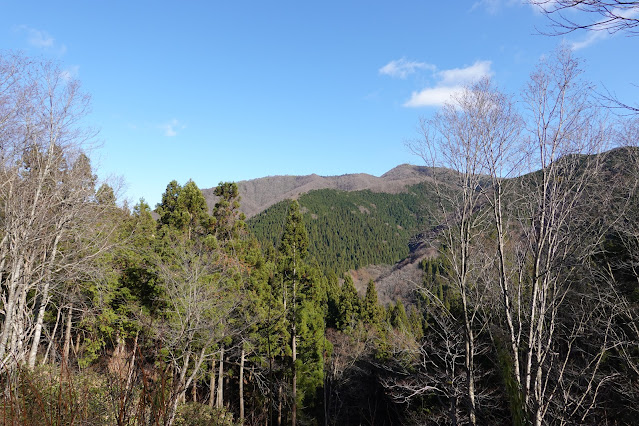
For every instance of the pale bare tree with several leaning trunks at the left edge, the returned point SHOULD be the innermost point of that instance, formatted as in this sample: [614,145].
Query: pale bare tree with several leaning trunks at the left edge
[47,197]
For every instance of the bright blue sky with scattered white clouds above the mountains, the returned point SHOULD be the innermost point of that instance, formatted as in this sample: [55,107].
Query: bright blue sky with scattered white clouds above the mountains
[226,91]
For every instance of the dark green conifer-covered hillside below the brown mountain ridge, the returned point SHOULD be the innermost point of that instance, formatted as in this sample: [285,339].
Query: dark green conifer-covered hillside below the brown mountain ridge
[349,230]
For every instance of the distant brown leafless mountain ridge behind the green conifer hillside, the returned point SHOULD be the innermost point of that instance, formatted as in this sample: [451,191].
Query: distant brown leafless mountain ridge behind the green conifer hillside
[259,194]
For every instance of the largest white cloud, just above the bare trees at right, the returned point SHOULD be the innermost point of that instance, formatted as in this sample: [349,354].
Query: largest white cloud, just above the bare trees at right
[450,82]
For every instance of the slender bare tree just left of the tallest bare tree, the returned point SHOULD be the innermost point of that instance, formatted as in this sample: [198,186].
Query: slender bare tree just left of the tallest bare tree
[453,143]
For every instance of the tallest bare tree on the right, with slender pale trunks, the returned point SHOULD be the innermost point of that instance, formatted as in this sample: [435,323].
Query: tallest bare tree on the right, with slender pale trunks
[565,134]
